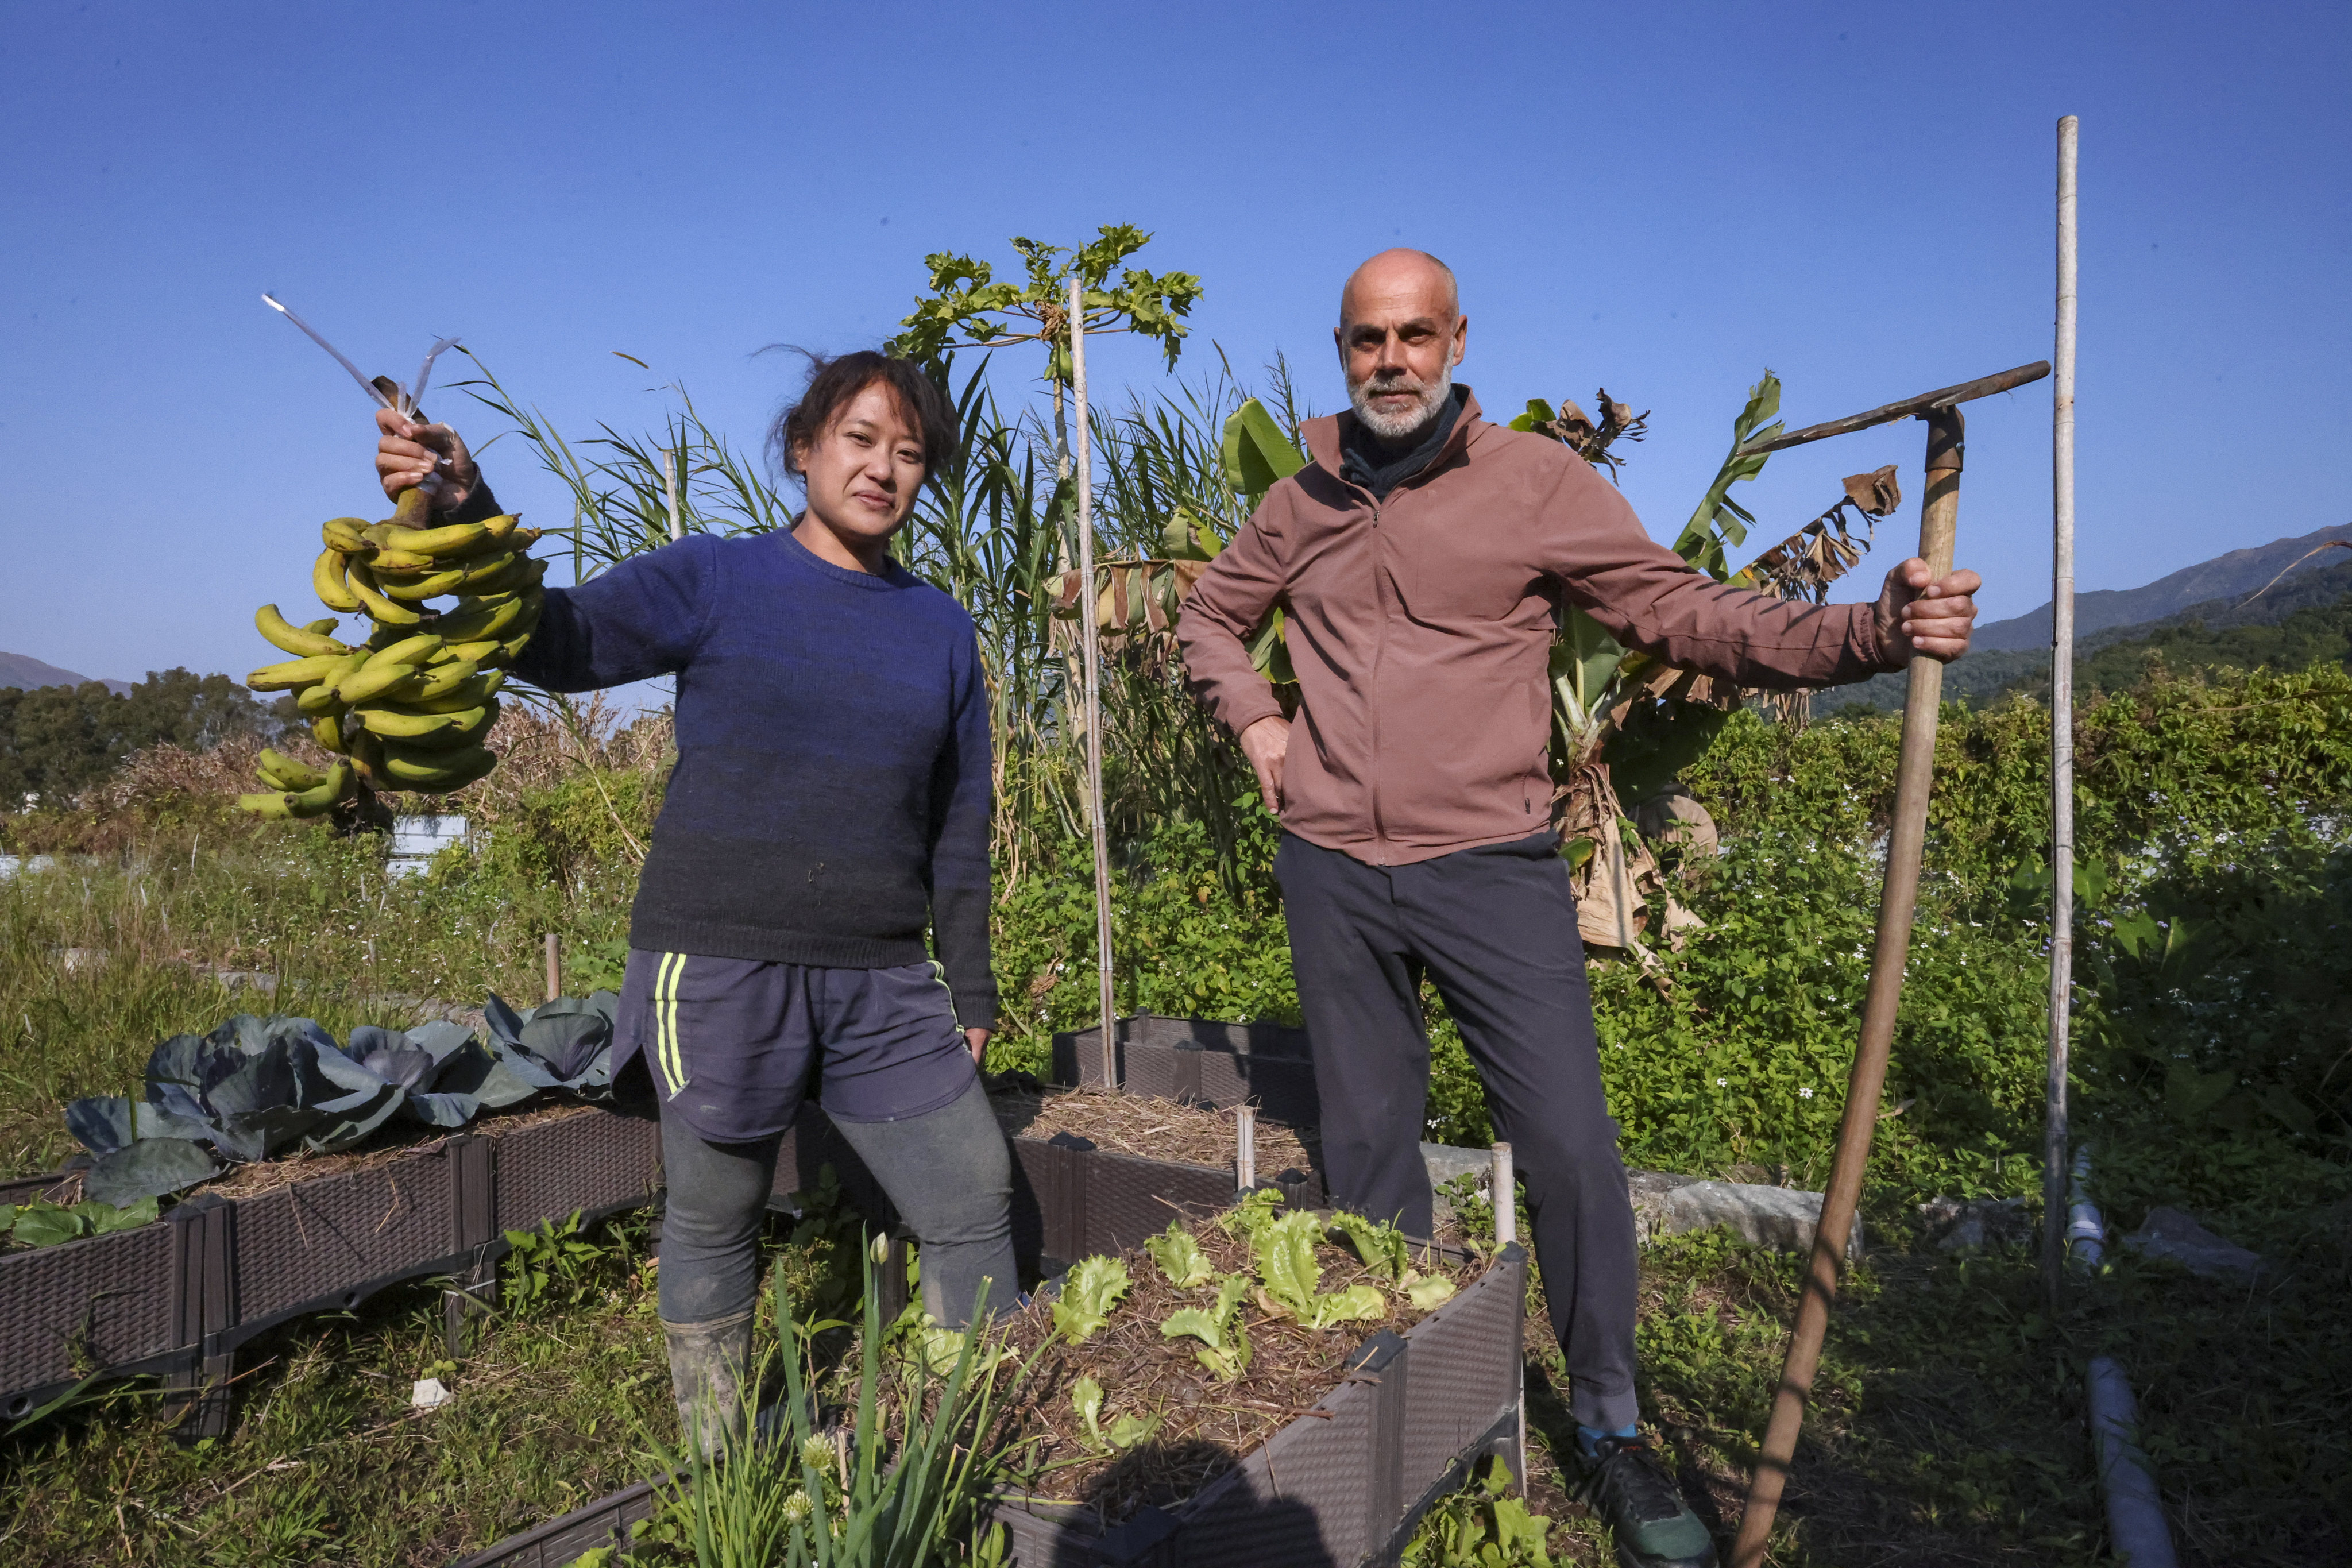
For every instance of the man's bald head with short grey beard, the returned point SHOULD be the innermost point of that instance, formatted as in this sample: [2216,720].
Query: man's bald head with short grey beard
[1401,335]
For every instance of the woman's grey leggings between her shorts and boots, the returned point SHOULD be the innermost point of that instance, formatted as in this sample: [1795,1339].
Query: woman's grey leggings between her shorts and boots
[949,1174]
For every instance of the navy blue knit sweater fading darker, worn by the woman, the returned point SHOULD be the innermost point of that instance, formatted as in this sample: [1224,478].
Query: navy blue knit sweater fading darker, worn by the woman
[834,784]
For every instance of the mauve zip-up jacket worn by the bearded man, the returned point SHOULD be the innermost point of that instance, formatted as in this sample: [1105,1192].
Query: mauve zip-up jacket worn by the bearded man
[1422,634]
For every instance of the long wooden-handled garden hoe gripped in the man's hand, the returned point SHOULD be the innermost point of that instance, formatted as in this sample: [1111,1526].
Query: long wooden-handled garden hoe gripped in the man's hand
[1939,518]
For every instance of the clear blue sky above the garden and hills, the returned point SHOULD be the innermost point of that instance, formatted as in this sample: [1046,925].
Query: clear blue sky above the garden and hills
[1659,201]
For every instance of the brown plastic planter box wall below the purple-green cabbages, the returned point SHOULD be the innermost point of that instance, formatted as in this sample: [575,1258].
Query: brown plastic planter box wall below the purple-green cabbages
[185,1294]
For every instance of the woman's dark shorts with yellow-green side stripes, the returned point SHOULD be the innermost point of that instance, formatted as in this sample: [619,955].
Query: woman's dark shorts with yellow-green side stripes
[737,1045]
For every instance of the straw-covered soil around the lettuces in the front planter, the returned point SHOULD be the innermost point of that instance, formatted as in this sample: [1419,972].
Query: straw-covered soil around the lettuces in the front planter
[1205,1426]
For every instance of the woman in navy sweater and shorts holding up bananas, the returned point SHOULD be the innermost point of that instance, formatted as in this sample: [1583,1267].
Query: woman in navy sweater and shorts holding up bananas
[831,803]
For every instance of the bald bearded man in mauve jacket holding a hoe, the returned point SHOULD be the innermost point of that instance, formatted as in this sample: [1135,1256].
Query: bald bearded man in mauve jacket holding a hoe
[1419,561]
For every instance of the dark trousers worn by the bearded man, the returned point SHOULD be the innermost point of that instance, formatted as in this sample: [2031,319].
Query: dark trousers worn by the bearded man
[1497,932]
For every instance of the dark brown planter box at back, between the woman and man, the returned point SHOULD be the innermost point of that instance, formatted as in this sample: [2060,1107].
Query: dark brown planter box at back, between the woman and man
[1187,1059]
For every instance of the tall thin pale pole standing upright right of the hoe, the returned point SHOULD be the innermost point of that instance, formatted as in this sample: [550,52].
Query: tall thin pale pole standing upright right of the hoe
[2054,1130]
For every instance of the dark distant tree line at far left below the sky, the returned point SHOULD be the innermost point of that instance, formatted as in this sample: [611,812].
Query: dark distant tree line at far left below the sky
[58,742]
